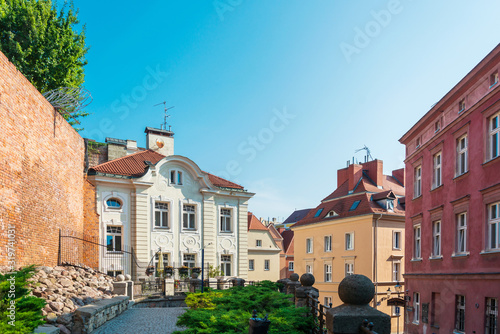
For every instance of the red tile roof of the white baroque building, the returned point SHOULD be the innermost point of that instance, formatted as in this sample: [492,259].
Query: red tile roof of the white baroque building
[134,165]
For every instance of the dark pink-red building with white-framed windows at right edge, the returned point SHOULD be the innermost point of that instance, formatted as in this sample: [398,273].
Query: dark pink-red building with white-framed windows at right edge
[452,163]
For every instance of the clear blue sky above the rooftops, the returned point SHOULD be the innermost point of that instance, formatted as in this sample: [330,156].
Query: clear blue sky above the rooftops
[278,95]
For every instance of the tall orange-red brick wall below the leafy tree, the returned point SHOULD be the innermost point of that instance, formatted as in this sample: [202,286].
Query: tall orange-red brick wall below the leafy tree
[41,171]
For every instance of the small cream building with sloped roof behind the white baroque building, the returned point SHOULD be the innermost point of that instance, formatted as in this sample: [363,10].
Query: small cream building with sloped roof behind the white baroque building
[263,252]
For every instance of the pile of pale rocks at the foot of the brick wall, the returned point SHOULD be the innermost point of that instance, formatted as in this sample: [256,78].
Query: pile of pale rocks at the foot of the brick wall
[67,288]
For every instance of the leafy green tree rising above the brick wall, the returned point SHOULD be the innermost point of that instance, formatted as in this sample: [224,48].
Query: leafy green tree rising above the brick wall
[43,43]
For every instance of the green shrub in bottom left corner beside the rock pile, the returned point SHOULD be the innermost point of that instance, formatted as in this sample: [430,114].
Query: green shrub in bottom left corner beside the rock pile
[28,309]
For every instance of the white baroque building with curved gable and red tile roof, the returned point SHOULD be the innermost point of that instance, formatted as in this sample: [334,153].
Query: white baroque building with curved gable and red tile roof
[153,200]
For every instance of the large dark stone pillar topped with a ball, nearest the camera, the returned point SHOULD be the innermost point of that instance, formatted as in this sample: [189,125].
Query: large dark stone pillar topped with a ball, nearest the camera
[356,291]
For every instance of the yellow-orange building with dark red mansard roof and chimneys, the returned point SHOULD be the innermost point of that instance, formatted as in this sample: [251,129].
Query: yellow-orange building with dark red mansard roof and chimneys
[358,229]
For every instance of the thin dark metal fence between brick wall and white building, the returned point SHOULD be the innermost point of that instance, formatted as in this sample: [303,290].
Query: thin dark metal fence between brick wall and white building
[84,250]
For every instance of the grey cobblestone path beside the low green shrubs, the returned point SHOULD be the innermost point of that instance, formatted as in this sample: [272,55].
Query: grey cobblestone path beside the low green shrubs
[143,321]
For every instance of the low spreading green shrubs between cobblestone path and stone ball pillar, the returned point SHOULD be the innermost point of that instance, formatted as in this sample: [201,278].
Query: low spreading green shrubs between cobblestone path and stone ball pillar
[228,311]
